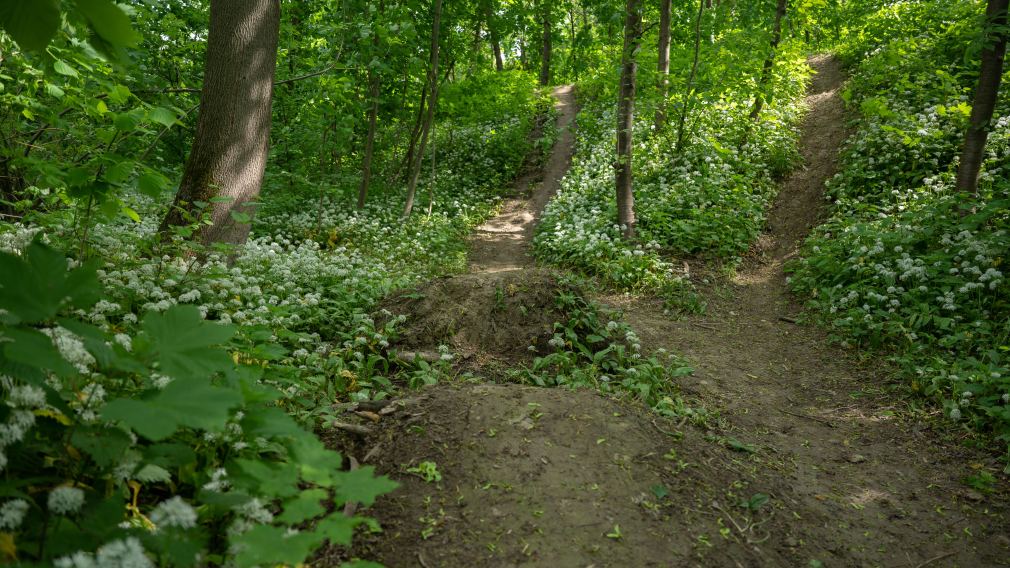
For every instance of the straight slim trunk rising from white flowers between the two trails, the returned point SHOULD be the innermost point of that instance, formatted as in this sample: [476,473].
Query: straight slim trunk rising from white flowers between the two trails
[626,119]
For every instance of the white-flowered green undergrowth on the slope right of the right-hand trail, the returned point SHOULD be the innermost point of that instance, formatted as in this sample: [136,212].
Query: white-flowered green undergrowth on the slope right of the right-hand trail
[901,265]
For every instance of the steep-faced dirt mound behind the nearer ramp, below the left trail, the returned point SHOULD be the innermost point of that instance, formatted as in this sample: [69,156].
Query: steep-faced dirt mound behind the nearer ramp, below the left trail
[502,316]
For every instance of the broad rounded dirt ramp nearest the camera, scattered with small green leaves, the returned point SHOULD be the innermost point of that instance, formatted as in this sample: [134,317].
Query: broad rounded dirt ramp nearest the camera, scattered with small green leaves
[509,476]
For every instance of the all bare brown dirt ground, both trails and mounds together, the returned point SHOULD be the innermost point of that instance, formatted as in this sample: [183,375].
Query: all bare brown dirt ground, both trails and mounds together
[511,476]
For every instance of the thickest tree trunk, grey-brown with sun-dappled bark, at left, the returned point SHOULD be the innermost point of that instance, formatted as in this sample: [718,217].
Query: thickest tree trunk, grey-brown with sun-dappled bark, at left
[233,136]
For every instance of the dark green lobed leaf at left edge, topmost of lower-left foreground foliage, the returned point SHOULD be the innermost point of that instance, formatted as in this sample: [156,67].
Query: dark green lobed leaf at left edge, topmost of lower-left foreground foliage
[37,287]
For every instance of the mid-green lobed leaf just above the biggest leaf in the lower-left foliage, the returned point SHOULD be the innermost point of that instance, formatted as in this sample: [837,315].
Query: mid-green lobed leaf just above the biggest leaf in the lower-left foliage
[184,343]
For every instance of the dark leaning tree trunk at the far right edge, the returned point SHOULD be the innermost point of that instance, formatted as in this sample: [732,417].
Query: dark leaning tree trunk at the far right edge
[986,93]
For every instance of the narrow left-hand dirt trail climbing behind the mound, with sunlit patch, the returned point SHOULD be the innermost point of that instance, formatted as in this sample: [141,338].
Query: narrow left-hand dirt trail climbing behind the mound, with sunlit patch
[501,244]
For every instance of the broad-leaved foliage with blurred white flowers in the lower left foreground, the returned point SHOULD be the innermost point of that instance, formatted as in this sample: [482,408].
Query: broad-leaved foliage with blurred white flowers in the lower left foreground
[154,443]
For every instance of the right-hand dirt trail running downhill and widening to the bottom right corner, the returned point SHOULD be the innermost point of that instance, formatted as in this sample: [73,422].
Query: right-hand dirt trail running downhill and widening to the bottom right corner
[873,488]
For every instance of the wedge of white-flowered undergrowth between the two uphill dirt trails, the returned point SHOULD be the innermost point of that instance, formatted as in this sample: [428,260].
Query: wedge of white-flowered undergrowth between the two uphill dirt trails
[708,200]
